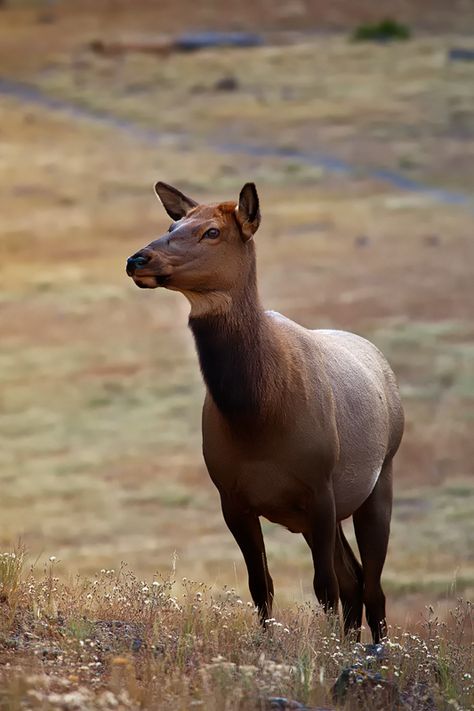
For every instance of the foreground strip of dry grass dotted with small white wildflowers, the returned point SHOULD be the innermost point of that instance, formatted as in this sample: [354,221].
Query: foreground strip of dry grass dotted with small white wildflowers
[115,641]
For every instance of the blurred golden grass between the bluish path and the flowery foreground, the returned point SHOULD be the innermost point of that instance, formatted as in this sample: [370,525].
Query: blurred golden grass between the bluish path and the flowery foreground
[100,416]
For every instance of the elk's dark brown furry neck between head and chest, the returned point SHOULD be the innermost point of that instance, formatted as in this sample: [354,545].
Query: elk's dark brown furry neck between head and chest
[238,356]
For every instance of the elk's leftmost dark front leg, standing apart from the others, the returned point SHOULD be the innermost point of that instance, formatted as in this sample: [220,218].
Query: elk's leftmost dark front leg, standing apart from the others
[247,532]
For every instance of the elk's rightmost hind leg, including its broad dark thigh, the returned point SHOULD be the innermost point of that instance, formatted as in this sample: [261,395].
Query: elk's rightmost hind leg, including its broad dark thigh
[372,529]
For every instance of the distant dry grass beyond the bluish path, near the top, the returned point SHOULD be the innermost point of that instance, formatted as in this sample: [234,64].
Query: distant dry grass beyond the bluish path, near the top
[402,107]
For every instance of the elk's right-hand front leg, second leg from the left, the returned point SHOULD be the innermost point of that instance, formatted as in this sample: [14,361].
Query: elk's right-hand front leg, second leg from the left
[322,541]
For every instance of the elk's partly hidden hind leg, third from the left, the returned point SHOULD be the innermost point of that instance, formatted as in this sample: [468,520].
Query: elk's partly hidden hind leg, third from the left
[350,579]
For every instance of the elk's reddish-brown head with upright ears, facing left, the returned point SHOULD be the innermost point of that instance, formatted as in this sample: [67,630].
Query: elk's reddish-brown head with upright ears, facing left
[207,251]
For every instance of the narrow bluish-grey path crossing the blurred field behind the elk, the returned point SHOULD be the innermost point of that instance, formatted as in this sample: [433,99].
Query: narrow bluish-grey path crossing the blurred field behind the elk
[330,163]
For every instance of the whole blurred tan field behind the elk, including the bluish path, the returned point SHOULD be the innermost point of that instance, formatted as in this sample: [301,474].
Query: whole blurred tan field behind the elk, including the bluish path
[356,121]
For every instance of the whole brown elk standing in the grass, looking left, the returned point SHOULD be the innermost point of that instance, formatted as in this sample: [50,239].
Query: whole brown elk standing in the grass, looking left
[299,426]
